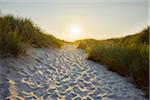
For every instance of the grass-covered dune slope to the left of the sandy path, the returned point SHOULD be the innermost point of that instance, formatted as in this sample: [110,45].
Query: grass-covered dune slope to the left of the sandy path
[17,34]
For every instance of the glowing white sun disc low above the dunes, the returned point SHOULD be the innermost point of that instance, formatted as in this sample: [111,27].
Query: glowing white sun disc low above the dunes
[75,31]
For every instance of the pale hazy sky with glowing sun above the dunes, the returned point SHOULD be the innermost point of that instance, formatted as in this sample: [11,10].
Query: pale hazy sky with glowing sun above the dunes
[79,19]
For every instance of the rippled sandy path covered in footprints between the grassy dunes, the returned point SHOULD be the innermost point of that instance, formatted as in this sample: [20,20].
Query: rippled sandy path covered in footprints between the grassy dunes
[62,74]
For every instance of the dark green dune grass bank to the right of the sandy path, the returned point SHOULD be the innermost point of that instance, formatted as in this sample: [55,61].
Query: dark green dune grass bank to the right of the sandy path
[128,56]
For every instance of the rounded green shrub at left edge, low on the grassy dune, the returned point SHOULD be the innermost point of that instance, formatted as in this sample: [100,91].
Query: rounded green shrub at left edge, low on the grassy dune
[12,44]
